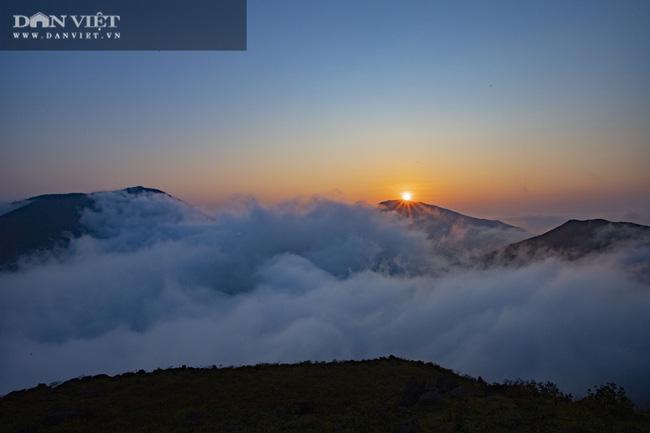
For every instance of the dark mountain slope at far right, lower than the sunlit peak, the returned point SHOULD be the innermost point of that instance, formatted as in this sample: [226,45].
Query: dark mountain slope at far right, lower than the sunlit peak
[572,240]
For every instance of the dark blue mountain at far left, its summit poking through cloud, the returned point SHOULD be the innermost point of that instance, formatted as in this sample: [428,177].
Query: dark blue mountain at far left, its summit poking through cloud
[46,222]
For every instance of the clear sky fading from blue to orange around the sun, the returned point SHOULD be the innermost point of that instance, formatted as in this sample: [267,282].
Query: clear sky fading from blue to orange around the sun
[490,108]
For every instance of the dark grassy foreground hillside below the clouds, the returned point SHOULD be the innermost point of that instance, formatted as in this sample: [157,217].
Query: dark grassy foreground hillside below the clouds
[384,395]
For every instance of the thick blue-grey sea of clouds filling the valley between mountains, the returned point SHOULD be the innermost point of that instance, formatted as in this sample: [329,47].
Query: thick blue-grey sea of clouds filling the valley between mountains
[161,284]
